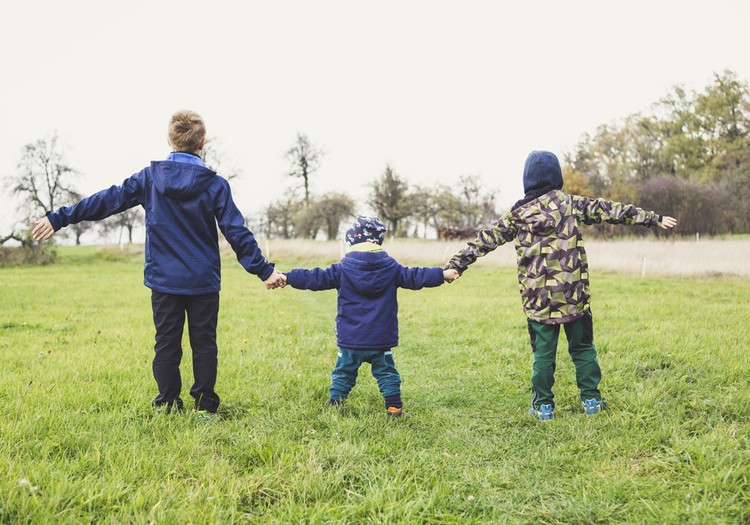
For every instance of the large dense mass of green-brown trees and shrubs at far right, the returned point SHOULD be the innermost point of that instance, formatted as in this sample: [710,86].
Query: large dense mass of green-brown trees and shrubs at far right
[689,157]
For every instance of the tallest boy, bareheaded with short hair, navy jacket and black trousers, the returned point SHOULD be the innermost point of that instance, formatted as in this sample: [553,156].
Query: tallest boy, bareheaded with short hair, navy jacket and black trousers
[184,201]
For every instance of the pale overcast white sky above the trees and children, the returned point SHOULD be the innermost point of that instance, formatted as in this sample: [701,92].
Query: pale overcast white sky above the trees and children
[436,89]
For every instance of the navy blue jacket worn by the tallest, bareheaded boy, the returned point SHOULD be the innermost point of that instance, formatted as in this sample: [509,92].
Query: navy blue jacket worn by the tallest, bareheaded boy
[184,201]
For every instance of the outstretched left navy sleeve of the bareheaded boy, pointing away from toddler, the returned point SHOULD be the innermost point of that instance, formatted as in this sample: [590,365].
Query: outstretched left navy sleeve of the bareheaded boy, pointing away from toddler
[102,204]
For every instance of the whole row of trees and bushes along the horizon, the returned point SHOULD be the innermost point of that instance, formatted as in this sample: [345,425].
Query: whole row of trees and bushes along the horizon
[688,157]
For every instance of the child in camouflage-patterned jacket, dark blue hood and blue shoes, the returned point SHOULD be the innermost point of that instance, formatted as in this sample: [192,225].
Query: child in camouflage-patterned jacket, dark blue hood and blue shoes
[553,272]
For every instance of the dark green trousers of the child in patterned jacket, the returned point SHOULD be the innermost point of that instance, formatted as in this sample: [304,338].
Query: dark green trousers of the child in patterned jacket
[580,334]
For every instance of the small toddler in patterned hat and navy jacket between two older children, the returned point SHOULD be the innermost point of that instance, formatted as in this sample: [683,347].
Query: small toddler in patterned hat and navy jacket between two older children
[367,280]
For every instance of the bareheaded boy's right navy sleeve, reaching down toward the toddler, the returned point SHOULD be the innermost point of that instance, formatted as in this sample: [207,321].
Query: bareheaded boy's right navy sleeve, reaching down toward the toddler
[239,237]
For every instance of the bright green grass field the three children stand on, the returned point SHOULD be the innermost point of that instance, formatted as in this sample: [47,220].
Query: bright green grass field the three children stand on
[80,443]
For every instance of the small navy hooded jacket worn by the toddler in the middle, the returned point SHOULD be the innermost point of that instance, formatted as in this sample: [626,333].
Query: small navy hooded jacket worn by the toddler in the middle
[367,315]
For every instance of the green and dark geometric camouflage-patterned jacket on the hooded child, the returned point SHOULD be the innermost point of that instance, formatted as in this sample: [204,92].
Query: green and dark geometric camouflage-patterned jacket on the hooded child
[553,273]
